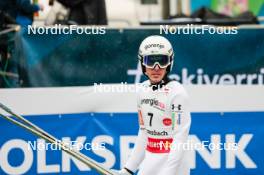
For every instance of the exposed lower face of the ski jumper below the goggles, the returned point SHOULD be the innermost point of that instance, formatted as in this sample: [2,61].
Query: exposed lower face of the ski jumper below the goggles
[155,74]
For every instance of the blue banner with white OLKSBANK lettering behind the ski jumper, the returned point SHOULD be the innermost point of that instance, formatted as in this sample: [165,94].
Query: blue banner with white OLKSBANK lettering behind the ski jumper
[112,136]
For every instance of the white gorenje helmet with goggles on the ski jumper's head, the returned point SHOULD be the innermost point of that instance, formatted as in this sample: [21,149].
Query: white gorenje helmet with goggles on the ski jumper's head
[156,50]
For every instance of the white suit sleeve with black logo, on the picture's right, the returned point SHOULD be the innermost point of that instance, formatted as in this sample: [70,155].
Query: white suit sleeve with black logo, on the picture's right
[181,126]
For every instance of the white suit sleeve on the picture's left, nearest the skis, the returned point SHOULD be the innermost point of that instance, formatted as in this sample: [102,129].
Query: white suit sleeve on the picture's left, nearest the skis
[138,153]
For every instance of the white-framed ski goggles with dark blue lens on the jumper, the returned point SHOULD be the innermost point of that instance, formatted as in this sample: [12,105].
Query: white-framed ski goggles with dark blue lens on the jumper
[150,61]
